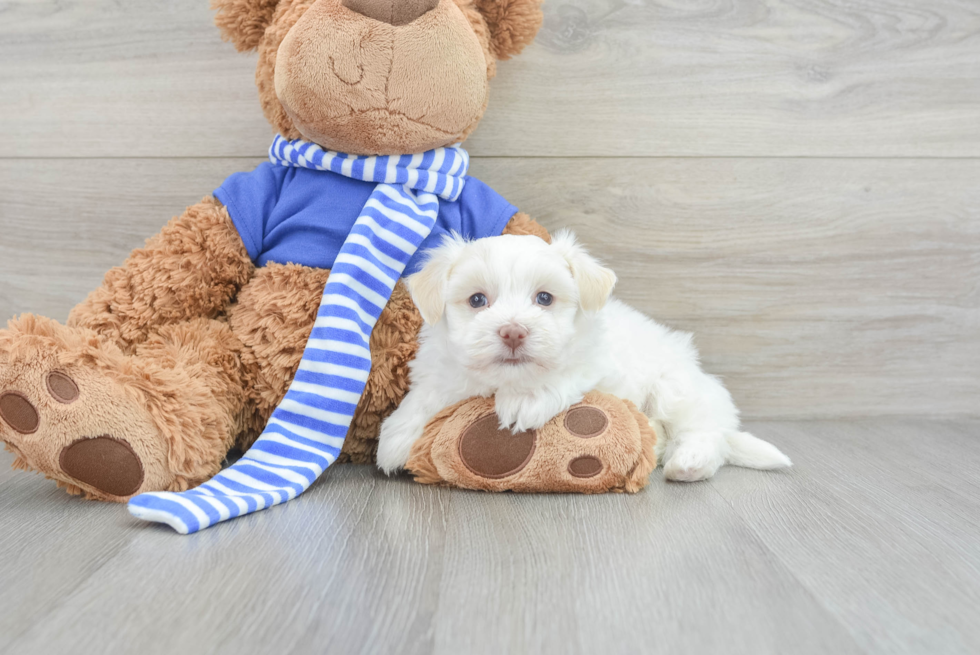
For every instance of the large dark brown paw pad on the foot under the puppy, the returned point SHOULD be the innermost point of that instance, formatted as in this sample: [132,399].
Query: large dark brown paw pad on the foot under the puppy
[489,452]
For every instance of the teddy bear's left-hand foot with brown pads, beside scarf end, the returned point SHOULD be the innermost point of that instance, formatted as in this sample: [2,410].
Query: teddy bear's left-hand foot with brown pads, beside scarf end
[62,415]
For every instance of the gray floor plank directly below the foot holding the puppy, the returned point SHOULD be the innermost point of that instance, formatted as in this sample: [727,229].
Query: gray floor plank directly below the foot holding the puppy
[665,570]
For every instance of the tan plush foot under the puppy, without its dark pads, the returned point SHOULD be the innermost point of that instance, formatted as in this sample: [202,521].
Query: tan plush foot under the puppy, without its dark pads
[625,447]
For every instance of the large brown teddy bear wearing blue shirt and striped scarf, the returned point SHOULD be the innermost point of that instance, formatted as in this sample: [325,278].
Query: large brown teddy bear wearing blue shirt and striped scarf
[225,322]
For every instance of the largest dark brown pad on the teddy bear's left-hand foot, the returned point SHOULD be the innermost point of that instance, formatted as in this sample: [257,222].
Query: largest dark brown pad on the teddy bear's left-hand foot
[103,463]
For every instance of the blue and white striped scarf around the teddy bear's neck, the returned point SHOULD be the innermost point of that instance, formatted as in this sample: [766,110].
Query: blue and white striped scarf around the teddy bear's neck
[307,429]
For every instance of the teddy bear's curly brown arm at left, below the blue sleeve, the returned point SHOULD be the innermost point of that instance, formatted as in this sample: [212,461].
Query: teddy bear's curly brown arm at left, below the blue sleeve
[192,268]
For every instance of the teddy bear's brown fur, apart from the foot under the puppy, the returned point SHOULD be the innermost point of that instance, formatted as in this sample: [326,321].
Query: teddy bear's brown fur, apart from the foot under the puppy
[184,350]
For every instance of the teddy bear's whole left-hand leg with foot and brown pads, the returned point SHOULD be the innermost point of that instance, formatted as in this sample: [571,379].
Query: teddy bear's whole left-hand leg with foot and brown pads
[101,422]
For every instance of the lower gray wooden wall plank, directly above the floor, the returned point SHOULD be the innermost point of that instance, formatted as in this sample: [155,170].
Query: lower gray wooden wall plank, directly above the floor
[815,287]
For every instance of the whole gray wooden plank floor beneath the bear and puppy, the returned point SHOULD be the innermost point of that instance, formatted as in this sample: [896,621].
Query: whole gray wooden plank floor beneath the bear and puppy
[868,545]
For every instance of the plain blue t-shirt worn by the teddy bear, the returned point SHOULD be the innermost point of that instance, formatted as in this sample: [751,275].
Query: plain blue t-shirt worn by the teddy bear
[287,214]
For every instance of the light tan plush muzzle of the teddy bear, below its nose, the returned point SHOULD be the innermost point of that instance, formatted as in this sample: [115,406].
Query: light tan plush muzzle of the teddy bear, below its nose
[365,77]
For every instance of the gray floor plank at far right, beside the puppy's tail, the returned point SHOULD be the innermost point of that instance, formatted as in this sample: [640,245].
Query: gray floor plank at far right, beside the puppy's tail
[869,524]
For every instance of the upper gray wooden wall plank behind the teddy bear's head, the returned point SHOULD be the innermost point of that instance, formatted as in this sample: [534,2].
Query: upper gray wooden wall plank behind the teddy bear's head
[606,78]
